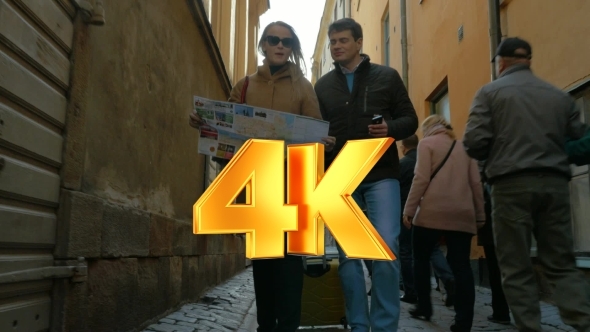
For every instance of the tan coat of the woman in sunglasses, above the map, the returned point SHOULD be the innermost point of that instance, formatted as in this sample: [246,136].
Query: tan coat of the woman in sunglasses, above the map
[286,91]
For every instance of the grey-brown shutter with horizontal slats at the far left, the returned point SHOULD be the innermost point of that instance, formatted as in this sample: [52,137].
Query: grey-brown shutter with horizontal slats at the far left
[35,46]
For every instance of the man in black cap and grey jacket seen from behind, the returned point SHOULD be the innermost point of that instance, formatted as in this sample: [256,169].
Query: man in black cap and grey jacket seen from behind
[518,125]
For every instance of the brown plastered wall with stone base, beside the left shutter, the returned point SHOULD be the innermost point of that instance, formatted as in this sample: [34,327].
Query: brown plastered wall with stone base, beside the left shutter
[129,143]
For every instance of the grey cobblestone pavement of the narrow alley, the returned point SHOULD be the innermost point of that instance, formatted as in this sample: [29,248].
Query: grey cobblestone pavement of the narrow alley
[231,307]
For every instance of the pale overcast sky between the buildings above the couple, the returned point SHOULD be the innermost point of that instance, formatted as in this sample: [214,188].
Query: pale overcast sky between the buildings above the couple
[304,16]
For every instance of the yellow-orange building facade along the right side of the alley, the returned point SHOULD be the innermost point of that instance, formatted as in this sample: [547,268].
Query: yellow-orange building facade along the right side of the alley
[442,49]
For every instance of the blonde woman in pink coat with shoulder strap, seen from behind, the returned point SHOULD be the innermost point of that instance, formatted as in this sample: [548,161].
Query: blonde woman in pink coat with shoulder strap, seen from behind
[446,199]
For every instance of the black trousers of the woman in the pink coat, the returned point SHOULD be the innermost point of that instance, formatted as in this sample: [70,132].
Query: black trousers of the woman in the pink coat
[458,250]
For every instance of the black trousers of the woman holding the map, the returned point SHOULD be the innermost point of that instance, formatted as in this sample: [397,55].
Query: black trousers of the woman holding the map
[278,284]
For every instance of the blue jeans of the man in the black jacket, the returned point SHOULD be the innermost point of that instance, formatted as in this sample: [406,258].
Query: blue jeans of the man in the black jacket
[382,200]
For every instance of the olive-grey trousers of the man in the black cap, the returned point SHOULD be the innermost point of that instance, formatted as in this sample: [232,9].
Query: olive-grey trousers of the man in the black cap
[538,204]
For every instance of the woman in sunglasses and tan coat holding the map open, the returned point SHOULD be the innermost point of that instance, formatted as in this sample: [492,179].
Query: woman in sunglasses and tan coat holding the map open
[279,84]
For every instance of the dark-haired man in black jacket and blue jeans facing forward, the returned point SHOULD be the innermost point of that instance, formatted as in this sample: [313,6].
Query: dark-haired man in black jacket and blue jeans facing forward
[350,96]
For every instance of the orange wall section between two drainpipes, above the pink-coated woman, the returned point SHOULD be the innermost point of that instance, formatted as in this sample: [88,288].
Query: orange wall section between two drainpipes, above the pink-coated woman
[436,55]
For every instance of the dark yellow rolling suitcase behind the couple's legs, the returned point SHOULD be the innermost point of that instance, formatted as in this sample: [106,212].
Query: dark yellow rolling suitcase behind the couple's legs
[322,300]
